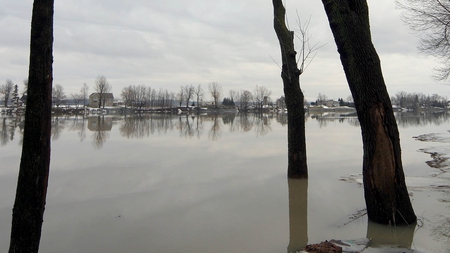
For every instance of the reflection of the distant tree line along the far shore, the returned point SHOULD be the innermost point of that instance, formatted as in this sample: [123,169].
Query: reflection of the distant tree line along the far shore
[140,126]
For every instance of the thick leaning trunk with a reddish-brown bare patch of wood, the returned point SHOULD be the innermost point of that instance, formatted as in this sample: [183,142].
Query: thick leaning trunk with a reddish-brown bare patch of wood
[385,192]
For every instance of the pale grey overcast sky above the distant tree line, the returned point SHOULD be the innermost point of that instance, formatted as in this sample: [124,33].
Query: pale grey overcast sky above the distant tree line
[171,43]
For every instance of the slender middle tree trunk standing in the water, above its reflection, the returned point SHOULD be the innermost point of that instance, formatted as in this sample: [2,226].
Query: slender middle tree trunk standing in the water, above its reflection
[297,166]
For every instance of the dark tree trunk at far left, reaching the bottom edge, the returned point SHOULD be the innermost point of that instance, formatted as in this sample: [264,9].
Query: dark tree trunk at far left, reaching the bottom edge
[32,183]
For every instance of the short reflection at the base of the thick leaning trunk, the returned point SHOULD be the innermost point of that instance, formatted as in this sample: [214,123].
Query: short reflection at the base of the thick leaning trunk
[380,235]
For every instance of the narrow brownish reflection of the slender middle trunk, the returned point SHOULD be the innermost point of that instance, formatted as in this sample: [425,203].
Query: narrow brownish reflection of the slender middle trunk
[298,214]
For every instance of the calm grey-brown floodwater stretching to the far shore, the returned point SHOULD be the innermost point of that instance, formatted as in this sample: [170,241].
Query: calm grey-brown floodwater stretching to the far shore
[217,183]
